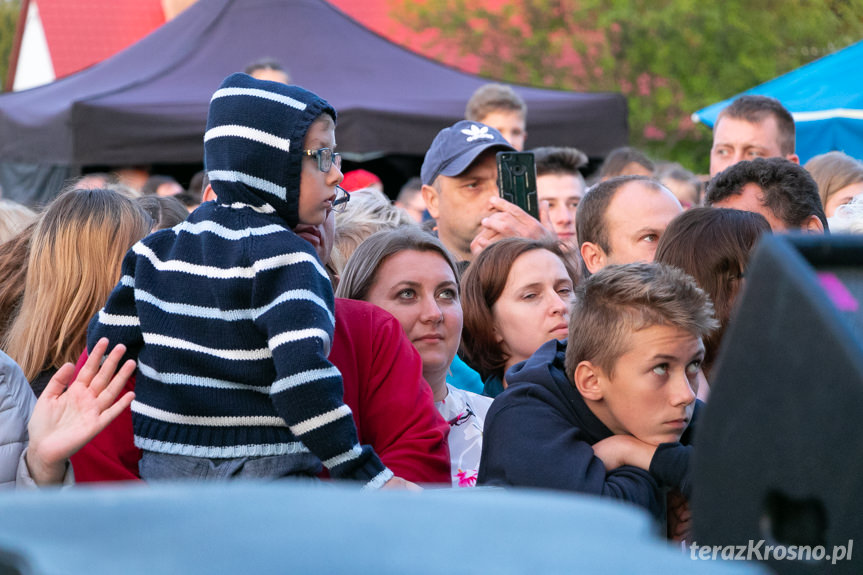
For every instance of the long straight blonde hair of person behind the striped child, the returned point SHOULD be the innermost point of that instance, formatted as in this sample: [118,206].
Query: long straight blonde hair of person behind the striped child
[74,262]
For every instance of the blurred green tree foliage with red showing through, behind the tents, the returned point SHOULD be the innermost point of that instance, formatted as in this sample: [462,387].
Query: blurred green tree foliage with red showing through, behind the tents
[669,57]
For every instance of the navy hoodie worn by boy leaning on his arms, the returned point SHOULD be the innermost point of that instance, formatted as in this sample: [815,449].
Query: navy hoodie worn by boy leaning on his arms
[539,432]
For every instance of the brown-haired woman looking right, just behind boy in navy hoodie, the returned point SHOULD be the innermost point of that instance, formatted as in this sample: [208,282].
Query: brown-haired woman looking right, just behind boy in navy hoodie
[516,297]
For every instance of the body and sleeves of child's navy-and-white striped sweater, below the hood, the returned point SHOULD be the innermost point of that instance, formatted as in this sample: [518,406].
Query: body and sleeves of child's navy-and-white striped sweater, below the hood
[230,317]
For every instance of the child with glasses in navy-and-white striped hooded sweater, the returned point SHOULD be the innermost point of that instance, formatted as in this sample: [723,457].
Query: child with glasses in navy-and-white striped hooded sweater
[230,314]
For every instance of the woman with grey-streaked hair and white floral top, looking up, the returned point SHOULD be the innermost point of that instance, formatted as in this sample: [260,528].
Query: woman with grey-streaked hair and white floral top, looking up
[409,273]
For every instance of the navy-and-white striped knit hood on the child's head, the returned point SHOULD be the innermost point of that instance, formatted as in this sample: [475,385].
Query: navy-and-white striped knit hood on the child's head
[254,142]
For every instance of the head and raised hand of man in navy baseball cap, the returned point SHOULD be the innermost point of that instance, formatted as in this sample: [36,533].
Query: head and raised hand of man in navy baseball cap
[459,176]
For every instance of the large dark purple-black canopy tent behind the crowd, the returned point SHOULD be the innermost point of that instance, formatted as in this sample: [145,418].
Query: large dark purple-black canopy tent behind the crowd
[148,103]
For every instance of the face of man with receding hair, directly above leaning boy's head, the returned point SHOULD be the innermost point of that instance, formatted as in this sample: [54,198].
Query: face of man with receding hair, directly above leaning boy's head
[636,218]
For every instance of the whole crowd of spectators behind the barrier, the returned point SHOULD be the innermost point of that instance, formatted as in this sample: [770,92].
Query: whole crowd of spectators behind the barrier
[267,323]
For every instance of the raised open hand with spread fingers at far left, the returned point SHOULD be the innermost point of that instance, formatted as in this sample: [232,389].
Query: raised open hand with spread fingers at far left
[66,418]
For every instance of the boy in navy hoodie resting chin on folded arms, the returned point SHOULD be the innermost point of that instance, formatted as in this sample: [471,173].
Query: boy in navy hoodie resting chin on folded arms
[609,411]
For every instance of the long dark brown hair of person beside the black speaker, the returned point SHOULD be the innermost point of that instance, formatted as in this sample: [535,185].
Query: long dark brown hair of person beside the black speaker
[713,246]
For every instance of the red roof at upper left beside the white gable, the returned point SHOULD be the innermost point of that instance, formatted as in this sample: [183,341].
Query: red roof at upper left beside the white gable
[80,34]
